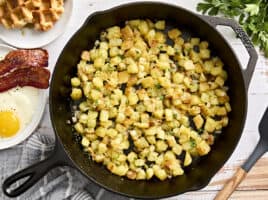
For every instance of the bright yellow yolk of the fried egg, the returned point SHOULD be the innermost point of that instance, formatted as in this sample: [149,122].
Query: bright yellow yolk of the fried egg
[9,124]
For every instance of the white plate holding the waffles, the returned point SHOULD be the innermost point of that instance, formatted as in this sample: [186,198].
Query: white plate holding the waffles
[30,38]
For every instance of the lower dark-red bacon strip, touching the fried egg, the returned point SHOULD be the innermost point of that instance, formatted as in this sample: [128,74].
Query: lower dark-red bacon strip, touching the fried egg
[27,76]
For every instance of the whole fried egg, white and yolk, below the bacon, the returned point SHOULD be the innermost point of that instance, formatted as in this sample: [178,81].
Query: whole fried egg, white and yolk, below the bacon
[17,107]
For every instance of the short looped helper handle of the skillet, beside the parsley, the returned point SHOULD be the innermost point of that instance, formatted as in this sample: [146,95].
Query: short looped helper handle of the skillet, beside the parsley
[253,56]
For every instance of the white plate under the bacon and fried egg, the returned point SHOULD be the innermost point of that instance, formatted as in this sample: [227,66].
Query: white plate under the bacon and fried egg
[27,131]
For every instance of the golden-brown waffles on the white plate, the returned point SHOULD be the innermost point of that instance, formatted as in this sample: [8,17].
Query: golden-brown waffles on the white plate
[42,14]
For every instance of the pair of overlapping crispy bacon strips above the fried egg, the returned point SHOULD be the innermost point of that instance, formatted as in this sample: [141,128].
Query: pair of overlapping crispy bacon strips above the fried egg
[24,68]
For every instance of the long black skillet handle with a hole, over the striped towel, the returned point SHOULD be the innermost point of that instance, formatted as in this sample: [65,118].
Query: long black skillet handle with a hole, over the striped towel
[35,172]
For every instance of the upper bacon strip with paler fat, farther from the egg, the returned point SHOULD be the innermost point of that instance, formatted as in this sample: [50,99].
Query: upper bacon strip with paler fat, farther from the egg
[24,57]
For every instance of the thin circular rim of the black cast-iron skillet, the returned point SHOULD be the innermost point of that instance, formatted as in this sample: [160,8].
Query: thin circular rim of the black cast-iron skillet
[199,185]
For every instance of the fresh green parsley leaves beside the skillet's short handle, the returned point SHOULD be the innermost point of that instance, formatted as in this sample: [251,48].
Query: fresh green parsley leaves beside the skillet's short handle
[251,14]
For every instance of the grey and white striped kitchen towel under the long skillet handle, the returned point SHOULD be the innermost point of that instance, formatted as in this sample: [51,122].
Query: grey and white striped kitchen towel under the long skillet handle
[59,183]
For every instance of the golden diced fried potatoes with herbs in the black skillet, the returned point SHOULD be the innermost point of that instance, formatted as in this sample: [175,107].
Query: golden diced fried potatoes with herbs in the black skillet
[149,100]
